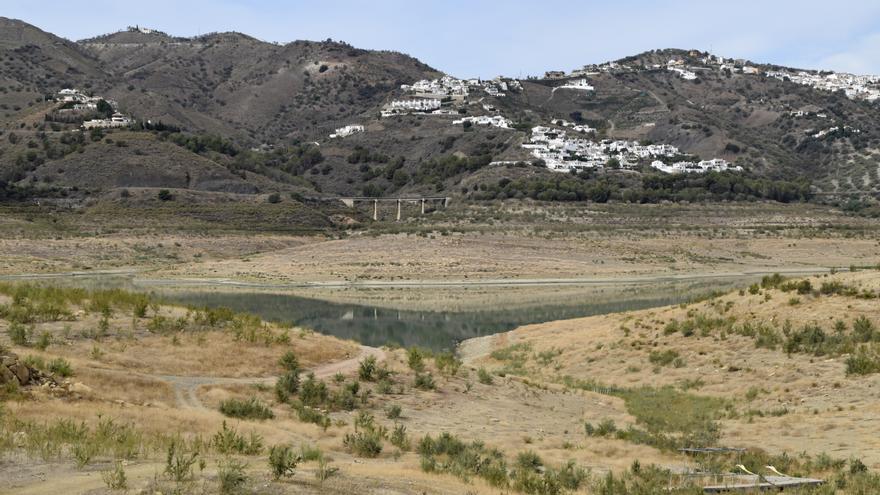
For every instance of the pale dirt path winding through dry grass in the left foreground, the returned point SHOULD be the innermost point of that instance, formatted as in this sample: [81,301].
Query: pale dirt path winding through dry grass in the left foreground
[186,387]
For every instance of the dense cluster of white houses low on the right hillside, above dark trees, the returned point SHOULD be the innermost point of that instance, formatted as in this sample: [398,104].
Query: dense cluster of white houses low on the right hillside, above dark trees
[565,153]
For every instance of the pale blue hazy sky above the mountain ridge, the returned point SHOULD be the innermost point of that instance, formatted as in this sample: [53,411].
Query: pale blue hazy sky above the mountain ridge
[513,37]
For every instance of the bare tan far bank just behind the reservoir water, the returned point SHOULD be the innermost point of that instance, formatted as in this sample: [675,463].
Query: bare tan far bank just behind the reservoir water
[469,257]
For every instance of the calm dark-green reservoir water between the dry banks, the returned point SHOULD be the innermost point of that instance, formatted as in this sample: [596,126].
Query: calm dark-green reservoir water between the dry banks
[373,325]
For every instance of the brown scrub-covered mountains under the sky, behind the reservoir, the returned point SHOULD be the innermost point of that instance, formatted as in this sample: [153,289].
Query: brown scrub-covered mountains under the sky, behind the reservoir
[278,98]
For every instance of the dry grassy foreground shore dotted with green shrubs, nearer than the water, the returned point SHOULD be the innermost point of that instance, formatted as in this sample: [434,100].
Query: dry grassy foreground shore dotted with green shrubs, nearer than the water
[129,380]
